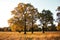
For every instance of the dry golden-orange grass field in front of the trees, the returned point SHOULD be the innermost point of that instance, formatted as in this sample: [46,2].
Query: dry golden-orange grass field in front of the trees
[30,36]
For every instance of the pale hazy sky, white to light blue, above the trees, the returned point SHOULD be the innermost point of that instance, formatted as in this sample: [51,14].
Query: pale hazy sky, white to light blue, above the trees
[6,6]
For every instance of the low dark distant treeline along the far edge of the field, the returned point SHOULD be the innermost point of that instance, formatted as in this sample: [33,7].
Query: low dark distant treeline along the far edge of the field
[7,29]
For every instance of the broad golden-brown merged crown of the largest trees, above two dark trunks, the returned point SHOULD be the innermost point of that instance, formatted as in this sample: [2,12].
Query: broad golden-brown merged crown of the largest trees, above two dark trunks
[24,15]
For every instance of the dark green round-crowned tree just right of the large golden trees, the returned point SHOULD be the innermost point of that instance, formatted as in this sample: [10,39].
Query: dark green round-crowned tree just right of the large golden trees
[46,17]
